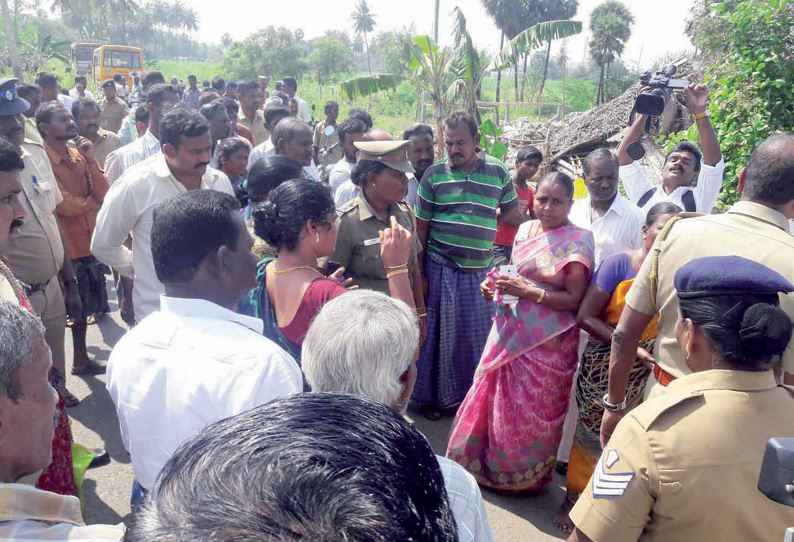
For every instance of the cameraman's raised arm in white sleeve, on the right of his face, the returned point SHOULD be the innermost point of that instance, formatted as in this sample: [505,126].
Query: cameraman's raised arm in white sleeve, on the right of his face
[712,166]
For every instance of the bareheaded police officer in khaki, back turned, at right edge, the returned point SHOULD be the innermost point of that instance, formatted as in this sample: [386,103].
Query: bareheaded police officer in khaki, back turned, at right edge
[755,228]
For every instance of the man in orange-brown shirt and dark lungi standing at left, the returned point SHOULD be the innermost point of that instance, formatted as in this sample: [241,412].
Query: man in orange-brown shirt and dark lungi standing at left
[83,187]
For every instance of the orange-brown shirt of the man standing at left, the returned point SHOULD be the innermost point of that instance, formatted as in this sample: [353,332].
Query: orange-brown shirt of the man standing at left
[83,187]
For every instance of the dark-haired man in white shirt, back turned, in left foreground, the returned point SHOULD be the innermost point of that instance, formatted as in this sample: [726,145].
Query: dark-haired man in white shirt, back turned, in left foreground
[195,361]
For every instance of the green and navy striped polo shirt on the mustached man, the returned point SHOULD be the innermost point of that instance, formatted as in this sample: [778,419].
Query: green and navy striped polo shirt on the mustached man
[461,208]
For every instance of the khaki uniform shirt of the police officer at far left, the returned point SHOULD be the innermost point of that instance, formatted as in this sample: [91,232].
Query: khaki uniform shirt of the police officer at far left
[35,254]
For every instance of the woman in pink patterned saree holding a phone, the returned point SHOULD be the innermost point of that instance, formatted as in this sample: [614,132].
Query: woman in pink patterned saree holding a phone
[507,430]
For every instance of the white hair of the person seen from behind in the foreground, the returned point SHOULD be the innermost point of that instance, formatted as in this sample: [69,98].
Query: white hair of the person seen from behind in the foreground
[361,343]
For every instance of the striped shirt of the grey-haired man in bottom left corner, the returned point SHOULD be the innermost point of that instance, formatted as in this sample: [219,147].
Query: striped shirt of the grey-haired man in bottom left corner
[30,514]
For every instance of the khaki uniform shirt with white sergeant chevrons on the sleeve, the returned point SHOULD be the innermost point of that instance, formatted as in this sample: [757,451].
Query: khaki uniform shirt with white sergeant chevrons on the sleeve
[685,466]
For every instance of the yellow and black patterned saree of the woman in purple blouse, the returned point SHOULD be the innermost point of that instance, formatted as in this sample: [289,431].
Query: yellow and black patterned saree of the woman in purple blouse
[591,388]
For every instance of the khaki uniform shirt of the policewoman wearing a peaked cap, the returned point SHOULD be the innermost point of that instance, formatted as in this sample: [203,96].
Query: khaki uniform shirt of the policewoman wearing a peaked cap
[358,243]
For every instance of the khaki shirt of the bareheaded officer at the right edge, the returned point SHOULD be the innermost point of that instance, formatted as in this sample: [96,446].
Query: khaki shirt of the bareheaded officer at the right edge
[749,230]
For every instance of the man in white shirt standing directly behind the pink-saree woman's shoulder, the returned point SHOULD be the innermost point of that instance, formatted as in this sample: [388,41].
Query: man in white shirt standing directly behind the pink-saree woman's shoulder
[616,223]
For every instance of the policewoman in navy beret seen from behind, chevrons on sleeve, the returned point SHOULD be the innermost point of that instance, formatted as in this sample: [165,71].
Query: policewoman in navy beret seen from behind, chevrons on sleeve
[685,465]
